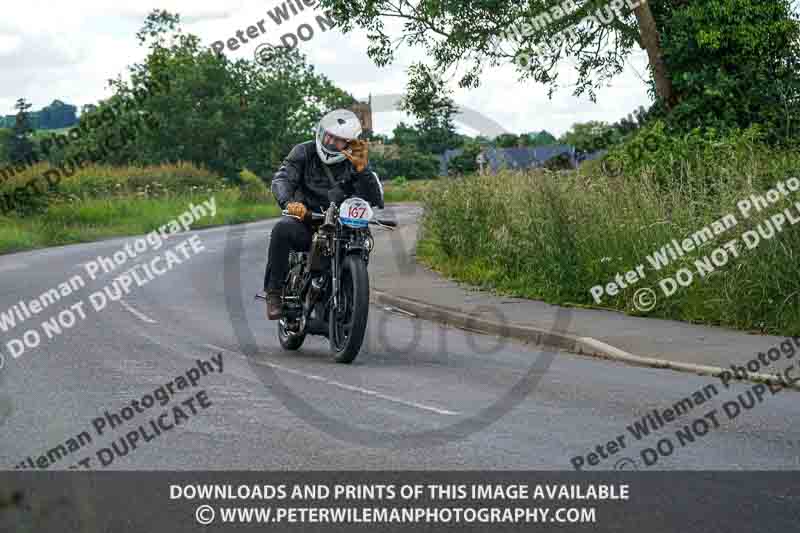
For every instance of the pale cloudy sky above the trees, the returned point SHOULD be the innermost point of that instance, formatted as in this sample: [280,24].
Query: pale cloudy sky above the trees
[68,50]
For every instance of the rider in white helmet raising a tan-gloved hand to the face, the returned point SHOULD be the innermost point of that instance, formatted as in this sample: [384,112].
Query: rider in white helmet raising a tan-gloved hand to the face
[332,167]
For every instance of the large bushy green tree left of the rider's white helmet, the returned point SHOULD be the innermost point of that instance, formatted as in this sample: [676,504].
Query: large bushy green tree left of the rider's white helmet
[185,102]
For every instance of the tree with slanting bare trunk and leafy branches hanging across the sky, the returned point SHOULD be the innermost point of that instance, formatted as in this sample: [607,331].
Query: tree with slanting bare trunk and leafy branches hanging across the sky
[534,36]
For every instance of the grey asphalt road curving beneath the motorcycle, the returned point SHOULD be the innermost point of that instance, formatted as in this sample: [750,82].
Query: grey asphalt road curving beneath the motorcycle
[412,378]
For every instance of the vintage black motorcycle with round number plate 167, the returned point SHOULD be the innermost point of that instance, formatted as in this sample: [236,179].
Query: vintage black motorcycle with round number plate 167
[326,291]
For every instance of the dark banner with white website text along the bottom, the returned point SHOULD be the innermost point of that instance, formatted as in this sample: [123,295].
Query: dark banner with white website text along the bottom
[123,502]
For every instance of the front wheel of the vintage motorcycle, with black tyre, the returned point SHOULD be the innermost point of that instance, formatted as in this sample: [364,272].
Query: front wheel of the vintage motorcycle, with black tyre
[348,325]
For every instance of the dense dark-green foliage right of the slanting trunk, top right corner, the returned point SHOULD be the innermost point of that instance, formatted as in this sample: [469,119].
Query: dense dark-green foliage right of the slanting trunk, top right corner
[736,63]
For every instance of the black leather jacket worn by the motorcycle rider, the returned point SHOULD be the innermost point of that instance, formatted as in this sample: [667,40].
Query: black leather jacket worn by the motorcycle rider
[302,178]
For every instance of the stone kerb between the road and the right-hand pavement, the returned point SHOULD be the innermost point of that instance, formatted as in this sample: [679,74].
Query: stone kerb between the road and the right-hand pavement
[586,346]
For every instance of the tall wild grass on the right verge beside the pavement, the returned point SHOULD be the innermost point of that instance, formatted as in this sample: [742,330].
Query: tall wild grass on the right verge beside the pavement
[553,236]
